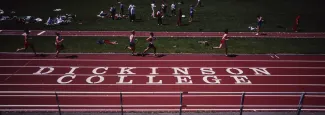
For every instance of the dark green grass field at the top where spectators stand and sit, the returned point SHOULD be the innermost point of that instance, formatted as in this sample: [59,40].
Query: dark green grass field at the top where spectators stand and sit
[216,15]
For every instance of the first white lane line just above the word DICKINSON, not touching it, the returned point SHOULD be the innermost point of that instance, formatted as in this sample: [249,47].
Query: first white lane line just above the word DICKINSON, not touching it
[102,60]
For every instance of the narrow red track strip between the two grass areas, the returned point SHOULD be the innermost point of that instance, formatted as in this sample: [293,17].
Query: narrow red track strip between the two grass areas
[168,34]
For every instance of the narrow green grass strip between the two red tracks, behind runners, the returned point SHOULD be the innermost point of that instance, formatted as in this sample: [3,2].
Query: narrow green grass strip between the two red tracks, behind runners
[172,45]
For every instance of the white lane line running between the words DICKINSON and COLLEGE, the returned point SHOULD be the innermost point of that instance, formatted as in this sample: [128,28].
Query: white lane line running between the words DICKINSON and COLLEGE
[31,75]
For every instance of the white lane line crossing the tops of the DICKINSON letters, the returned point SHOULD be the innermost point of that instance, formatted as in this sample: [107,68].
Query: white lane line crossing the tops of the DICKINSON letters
[160,67]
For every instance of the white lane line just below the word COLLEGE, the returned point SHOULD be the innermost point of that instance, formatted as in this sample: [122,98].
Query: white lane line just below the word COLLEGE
[314,85]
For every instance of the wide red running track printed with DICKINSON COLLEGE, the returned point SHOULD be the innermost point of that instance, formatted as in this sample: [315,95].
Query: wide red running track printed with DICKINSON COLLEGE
[81,86]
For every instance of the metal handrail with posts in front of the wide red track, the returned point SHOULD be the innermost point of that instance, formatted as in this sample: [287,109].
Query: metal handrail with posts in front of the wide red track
[181,94]
